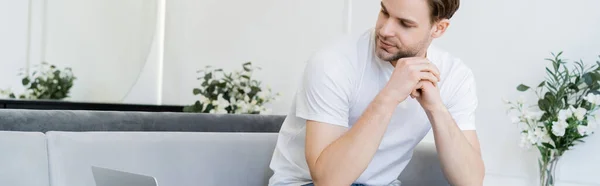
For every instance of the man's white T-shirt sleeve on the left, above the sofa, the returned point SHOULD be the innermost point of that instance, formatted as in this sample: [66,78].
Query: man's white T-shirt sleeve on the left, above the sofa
[325,91]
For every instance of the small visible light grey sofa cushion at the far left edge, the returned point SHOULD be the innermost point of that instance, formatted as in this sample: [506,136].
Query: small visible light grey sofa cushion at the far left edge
[23,159]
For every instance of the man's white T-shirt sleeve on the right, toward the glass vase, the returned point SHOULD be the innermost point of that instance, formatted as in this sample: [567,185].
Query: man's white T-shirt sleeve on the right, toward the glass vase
[464,102]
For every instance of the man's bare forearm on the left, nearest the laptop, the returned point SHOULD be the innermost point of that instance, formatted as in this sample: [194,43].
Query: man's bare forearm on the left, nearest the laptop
[344,160]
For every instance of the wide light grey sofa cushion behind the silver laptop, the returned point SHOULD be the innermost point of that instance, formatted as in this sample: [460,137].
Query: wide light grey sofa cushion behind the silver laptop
[174,158]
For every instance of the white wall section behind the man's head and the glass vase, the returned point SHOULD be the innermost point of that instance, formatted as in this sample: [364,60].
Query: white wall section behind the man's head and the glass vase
[505,42]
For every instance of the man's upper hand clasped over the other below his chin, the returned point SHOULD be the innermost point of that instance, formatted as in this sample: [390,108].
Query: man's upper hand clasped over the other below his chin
[408,75]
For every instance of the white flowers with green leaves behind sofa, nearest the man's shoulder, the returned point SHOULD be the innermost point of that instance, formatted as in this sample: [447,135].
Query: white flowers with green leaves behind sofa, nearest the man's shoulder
[231,93]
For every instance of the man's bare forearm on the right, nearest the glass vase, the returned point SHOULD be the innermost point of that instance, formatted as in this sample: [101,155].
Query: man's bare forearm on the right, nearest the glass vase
[460,161]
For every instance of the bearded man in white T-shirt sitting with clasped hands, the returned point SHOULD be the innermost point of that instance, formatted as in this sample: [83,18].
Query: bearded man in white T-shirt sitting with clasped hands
[365,102]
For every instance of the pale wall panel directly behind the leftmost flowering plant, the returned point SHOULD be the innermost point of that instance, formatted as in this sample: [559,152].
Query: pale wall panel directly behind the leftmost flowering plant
[107,43]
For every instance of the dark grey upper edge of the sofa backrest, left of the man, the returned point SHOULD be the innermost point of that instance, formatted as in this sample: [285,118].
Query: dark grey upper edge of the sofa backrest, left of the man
[75,120]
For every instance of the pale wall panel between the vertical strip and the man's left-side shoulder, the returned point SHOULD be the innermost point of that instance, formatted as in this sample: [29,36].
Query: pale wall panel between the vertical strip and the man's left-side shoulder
[277,36]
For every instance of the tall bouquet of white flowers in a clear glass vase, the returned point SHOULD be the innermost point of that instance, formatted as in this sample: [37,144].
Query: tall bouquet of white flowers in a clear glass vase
[565,113]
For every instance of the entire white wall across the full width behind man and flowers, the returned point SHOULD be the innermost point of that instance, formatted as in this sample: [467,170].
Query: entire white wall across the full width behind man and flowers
[113,48]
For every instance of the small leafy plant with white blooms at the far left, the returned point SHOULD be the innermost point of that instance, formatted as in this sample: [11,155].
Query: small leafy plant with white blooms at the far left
[46,82]
